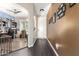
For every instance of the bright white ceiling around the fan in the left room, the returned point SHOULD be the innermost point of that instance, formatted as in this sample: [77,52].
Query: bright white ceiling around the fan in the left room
[11,6]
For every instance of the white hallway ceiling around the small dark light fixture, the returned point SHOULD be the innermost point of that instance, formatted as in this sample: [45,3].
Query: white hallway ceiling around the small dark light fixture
[44,6]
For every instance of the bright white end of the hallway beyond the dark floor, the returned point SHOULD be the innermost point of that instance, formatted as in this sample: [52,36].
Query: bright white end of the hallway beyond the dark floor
[42,31]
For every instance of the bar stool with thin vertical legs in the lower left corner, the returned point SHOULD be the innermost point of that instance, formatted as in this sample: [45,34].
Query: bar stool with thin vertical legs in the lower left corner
[6,44]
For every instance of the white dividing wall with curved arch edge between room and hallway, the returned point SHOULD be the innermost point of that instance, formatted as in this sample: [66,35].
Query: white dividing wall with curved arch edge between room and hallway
[31,34]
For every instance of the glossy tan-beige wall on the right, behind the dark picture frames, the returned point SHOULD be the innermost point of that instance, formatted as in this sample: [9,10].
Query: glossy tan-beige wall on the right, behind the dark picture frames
[64,34]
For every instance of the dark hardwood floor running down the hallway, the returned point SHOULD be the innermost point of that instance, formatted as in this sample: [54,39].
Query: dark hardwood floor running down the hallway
[41,48]
